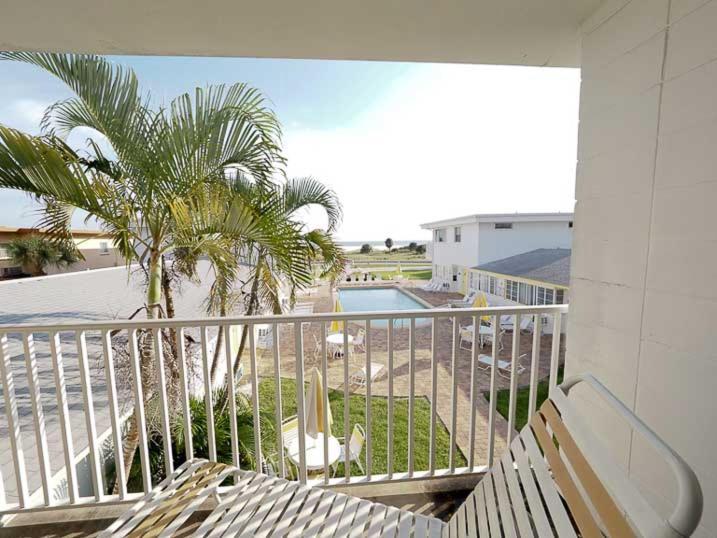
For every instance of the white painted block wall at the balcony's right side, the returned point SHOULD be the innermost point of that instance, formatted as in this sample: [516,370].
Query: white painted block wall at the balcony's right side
[643,286]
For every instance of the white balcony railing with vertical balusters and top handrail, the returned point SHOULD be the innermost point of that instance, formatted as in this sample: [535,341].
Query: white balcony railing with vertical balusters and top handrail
[439,349]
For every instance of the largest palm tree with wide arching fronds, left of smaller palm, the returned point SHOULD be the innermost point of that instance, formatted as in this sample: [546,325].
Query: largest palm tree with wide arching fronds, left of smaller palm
[161,185]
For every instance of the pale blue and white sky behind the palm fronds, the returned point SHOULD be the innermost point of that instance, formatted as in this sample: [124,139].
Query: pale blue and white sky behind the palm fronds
[400,143]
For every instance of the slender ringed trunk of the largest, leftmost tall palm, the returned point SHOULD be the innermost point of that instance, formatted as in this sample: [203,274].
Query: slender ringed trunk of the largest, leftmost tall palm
[154,296]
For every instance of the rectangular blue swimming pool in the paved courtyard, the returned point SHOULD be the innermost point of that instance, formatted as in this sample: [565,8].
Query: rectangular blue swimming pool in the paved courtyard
[381,299]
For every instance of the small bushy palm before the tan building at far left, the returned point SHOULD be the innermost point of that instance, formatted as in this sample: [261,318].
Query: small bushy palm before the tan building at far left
[34,253]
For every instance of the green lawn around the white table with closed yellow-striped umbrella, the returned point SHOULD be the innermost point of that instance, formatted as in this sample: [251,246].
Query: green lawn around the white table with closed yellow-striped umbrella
[379,427]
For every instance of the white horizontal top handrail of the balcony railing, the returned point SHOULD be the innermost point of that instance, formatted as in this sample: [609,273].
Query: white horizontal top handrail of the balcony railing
[115,324]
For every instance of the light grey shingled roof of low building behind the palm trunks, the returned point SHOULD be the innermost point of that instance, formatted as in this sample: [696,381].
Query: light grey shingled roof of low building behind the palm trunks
[70,298]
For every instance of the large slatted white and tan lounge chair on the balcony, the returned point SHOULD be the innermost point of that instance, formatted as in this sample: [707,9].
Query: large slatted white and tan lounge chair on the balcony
[533,489]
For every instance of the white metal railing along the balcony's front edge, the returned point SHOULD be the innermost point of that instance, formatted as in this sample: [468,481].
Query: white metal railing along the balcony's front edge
[44,372]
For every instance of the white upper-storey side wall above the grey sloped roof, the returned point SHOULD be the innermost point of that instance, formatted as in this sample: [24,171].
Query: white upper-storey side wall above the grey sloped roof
[523,237]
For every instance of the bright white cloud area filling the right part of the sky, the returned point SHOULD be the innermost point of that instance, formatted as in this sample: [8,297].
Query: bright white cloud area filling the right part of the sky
[450,140]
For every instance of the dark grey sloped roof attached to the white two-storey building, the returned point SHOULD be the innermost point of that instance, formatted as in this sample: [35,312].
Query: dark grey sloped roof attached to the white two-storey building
[549,265]
